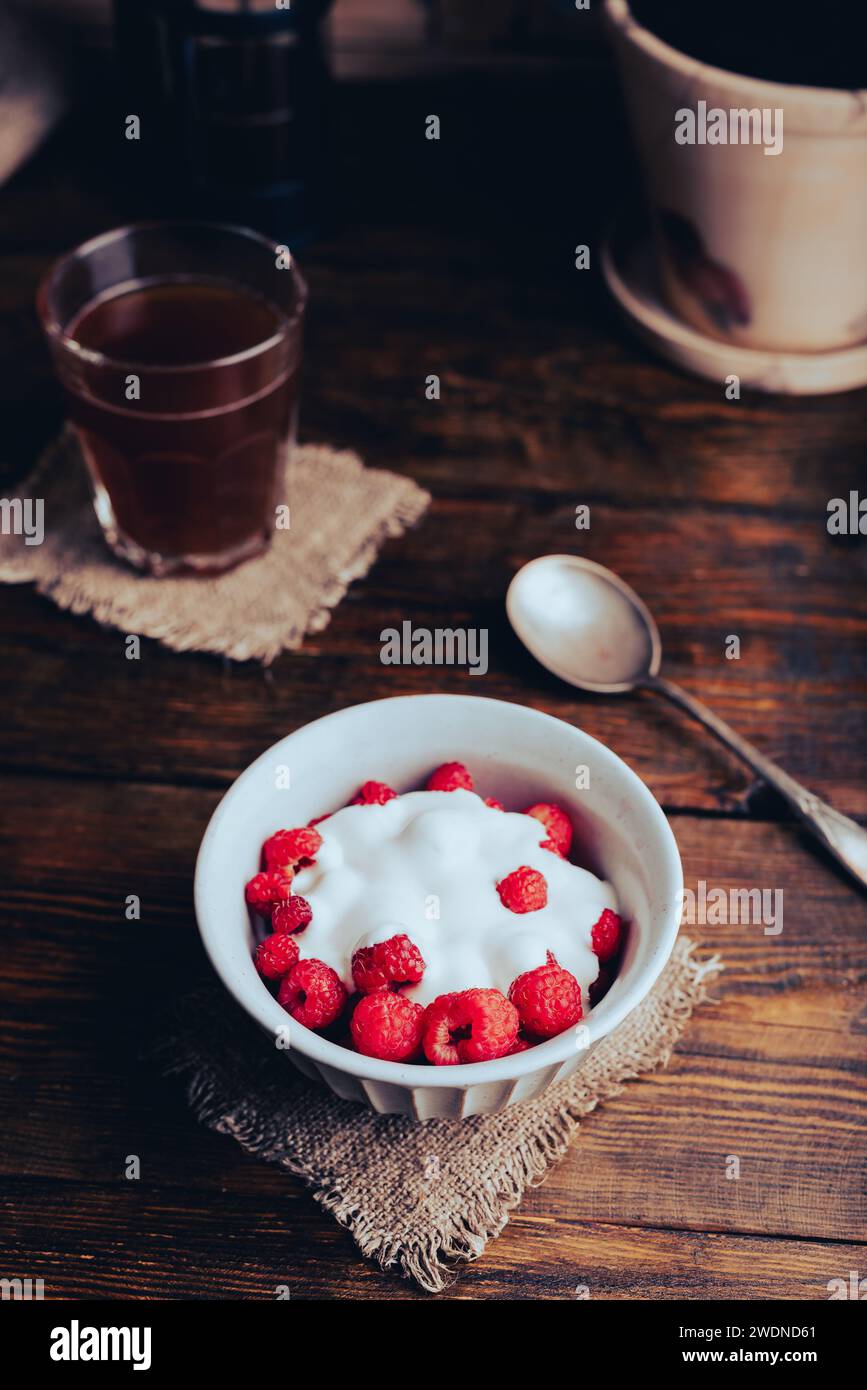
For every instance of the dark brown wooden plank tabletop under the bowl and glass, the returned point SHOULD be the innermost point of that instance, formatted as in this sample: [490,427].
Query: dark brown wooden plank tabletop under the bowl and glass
[452,259]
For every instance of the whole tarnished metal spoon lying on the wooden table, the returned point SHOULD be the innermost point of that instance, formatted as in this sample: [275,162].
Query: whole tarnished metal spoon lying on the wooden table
[588,628]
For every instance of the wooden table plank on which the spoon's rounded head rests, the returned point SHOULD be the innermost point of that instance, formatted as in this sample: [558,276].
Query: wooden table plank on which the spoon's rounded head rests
[798,690]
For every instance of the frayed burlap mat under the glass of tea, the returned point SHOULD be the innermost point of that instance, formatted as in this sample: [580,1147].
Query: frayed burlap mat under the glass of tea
[341,515]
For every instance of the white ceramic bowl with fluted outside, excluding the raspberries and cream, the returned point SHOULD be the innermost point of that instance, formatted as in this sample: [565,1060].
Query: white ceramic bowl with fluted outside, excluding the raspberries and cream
[513,753]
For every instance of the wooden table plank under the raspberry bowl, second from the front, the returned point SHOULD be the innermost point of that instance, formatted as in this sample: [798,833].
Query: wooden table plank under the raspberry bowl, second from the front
[773,1074]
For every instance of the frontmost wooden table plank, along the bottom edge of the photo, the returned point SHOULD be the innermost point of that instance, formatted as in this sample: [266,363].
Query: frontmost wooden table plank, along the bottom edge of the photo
[133,1243]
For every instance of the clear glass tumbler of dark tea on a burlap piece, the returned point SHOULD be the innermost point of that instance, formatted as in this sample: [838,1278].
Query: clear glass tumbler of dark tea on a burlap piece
[179,348]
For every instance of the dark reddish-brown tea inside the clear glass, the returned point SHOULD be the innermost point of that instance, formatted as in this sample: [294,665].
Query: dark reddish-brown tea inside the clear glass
[192,466]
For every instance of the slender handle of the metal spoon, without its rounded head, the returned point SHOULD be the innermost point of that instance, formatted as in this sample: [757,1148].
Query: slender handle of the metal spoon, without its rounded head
[841,836]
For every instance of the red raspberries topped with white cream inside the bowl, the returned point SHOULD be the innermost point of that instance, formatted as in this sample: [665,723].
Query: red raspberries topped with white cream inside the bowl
[469,924]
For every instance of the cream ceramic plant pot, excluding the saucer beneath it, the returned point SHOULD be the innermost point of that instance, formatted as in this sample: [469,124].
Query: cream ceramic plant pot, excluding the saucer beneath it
[761,250]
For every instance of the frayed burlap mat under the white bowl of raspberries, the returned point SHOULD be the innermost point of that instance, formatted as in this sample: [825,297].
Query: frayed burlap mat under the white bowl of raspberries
[416,1197]
